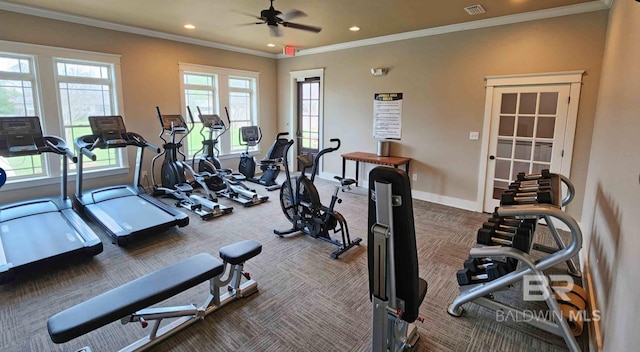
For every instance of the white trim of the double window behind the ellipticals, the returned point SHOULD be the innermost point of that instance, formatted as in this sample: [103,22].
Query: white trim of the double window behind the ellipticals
[222,97]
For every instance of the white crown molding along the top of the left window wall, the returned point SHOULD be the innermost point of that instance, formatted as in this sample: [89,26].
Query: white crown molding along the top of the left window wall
[33,11]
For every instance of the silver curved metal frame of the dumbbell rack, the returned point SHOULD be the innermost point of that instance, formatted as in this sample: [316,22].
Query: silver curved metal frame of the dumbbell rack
[482,293]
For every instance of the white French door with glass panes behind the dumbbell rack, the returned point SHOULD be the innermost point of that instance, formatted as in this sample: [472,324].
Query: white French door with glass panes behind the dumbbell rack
[528,133]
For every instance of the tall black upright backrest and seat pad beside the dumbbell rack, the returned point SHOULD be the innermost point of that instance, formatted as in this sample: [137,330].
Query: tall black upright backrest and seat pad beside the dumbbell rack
[409,287]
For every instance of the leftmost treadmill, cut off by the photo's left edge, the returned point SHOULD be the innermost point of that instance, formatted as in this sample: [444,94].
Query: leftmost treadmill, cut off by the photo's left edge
[39,232]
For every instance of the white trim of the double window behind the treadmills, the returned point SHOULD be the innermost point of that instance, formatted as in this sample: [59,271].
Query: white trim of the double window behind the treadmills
[47,100]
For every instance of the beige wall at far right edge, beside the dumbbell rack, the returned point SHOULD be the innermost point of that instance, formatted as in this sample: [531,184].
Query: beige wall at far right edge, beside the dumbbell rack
[610,214]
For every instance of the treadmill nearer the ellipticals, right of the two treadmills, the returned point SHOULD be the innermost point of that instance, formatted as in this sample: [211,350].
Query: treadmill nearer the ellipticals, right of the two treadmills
[126,212]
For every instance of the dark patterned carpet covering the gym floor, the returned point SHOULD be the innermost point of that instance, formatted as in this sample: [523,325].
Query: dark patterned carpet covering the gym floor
[306,301]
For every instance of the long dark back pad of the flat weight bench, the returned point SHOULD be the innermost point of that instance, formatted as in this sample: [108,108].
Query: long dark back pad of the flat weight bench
[132,296]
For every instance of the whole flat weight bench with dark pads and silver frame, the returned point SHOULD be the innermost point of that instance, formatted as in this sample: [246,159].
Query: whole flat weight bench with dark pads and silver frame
[131,301]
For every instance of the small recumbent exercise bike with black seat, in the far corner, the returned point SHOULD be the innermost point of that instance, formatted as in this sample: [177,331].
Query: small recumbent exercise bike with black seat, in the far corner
[250,136]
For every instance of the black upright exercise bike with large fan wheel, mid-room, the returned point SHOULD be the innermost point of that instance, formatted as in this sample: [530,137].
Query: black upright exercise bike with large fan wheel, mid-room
[300,202]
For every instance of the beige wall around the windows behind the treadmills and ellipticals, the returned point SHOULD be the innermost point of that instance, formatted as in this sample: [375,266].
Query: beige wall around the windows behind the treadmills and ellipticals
[149,69]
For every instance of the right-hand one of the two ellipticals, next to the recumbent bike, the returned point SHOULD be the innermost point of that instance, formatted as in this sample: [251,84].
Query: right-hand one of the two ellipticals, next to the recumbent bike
[229,183]
